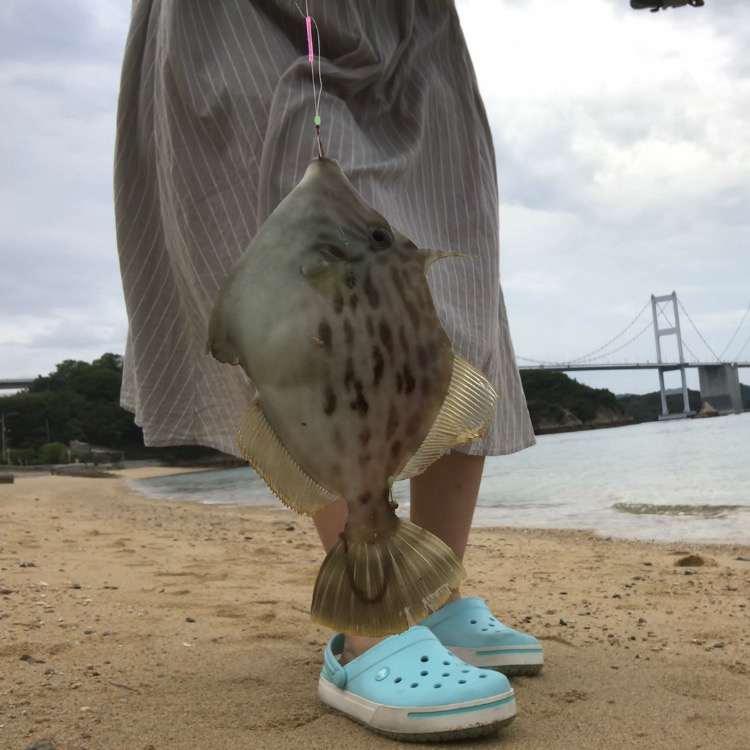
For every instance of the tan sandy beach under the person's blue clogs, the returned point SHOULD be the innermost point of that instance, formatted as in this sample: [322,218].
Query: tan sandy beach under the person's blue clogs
[138,624]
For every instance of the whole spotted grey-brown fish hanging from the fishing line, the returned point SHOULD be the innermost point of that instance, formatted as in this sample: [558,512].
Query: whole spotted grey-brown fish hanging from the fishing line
[329,313]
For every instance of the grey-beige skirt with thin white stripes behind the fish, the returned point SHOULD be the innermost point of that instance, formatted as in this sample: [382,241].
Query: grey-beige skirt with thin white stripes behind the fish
[214,128]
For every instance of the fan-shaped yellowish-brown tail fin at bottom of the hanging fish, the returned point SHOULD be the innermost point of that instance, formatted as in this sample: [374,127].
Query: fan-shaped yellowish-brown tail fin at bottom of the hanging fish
[384,586]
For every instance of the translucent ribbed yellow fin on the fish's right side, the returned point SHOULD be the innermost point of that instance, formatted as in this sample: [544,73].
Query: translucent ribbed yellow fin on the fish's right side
[466,410]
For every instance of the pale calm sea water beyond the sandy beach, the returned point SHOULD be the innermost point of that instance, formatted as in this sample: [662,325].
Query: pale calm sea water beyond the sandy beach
[677,480]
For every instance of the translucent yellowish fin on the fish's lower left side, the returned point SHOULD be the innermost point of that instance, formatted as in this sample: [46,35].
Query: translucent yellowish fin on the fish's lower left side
[266,454]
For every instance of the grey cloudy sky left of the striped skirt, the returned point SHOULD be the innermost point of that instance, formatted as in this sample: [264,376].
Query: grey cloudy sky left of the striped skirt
[59,292]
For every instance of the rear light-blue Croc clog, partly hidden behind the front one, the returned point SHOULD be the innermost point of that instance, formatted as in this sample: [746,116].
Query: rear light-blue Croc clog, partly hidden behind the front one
[468,629]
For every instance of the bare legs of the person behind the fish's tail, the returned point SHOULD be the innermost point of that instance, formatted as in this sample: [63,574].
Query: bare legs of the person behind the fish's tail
[442,501]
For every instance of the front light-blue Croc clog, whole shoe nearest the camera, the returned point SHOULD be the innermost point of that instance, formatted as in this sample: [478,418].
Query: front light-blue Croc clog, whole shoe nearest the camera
[410,687]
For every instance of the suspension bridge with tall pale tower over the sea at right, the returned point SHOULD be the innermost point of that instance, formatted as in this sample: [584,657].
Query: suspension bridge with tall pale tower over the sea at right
[639,346]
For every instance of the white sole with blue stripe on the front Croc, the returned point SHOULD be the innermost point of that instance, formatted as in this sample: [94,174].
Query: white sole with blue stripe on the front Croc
[454,720]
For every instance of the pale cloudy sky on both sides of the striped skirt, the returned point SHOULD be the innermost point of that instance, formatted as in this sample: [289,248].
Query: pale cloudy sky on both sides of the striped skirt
[623,147]
